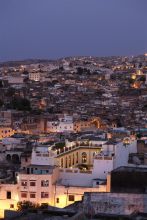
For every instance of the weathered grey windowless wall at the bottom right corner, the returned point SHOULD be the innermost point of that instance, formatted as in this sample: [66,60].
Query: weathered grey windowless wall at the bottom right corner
[114,203]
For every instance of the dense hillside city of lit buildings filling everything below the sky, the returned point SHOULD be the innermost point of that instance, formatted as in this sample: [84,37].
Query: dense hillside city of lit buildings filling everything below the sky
[73,138]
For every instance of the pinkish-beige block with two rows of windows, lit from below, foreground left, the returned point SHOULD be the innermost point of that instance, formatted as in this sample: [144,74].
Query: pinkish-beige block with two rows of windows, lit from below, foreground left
[36,184]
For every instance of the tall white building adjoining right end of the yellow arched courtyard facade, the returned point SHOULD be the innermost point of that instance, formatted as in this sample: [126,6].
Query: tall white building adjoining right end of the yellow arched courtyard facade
[113,155]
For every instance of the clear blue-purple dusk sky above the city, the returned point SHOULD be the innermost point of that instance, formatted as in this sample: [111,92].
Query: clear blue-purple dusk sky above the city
[60,28]
